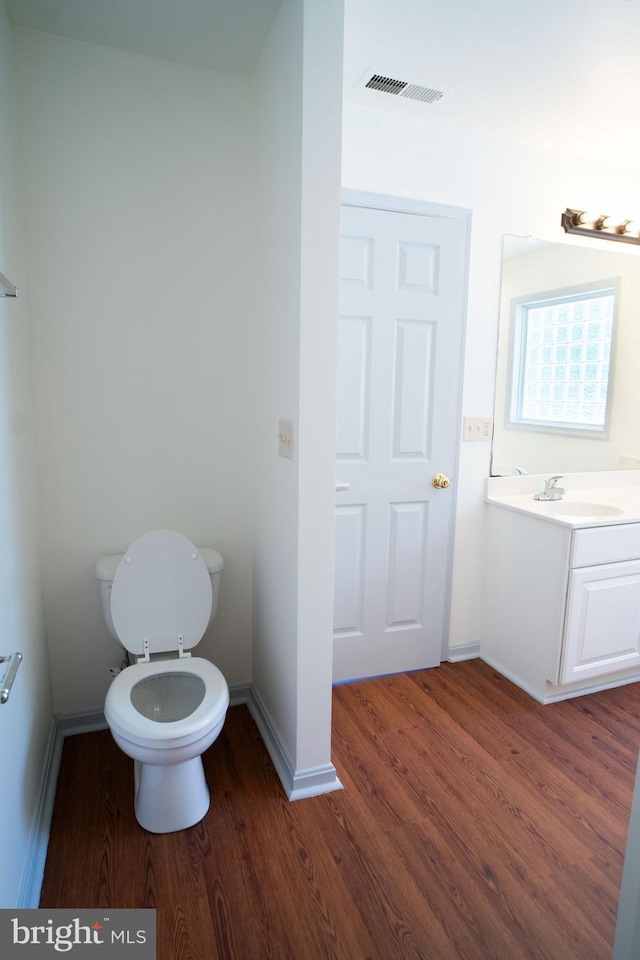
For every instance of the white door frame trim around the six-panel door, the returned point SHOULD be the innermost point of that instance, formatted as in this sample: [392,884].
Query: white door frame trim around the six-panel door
[424,208]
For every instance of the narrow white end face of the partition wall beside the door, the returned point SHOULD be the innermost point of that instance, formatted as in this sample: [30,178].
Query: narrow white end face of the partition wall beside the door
[320,230]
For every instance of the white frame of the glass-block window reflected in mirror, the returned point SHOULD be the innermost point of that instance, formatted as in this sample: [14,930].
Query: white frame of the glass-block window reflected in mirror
[517,351]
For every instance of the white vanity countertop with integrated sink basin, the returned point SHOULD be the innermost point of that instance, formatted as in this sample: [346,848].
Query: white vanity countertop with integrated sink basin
[590,499]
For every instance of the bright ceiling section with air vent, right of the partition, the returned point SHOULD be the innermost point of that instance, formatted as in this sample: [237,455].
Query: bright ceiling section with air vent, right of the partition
[554,72]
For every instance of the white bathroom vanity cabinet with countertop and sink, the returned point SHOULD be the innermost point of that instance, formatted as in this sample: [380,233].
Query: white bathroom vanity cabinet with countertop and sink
[562,584]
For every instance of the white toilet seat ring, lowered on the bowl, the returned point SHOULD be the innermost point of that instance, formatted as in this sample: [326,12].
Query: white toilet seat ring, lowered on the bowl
[124,719]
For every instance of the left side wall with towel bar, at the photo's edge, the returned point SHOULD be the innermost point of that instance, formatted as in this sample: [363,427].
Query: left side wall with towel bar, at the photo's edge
[26,718]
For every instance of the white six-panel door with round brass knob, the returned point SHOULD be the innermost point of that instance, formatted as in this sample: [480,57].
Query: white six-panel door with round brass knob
[402,300]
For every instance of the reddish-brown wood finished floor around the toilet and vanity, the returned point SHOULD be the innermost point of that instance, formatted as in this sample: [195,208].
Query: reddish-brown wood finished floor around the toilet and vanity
[474,823]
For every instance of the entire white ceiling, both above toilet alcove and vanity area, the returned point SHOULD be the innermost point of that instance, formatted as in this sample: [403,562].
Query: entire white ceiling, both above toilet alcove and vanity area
[560,73]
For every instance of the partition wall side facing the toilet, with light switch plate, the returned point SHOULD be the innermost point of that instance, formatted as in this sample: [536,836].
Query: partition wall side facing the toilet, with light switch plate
[278,104]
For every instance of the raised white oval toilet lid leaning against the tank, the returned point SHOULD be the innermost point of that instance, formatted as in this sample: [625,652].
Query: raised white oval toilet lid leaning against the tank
[161,591]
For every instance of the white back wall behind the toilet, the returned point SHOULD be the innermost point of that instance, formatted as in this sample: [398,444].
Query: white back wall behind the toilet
[139,213]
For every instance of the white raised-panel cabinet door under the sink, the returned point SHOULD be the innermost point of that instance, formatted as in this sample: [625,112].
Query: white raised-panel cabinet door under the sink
[602,629]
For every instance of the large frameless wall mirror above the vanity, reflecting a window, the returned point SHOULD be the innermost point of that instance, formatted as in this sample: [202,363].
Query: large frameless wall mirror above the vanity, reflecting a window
[567,381]
